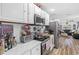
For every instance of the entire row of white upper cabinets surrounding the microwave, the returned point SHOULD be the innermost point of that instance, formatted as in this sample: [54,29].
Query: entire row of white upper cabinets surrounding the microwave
[23,13]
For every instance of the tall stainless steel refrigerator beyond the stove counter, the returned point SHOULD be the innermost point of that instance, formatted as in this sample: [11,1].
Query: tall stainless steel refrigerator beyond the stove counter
[54,26]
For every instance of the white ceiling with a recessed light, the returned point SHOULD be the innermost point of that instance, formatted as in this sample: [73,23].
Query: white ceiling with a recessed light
[61,10]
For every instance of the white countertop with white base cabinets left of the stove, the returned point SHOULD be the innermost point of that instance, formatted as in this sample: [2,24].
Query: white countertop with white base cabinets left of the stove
[29,48]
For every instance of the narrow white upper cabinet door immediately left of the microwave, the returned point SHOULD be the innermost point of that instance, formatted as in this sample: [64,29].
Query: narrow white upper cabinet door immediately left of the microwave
[31,13]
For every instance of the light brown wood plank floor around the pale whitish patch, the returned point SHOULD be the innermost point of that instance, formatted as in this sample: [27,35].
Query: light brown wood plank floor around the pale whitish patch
[64,51]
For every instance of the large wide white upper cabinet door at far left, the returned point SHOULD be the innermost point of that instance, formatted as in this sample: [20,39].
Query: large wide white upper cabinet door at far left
[12,11]
